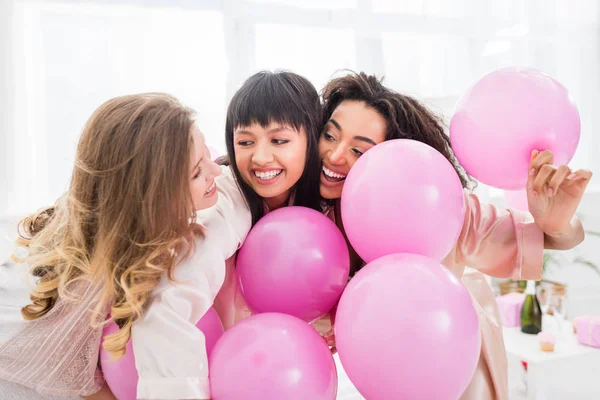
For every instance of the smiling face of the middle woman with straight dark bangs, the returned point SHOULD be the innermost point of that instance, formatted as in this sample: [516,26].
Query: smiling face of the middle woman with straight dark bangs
[270,159]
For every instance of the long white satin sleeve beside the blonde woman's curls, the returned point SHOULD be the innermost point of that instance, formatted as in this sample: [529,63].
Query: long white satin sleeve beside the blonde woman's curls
[170,351]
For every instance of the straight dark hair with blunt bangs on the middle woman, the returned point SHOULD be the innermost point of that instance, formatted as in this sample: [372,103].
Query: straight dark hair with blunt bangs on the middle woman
[289,99]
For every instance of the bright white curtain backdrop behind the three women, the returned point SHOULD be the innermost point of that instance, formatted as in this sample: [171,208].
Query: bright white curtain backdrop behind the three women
[61,59]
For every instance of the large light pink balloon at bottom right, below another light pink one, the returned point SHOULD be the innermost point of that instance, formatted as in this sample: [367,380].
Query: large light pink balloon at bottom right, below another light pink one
[406,329]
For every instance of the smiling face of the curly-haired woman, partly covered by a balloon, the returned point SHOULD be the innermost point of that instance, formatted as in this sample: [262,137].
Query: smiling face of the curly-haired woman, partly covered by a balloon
[352,129]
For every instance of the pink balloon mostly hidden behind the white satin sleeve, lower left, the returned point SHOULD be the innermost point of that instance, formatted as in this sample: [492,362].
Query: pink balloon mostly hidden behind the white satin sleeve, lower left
[121,375]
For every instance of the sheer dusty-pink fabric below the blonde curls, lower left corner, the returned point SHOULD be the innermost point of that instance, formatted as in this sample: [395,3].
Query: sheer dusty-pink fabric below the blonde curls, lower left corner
[58,354]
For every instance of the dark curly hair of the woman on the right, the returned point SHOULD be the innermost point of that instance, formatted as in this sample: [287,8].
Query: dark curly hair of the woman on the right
[406,117]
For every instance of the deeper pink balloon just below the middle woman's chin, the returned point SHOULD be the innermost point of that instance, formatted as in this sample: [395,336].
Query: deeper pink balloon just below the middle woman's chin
[294,261]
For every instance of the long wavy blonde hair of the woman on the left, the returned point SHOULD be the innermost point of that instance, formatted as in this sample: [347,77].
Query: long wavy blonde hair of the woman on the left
[128,214]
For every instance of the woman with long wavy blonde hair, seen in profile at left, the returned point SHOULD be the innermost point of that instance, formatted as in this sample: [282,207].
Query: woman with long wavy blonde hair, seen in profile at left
[123,244]
